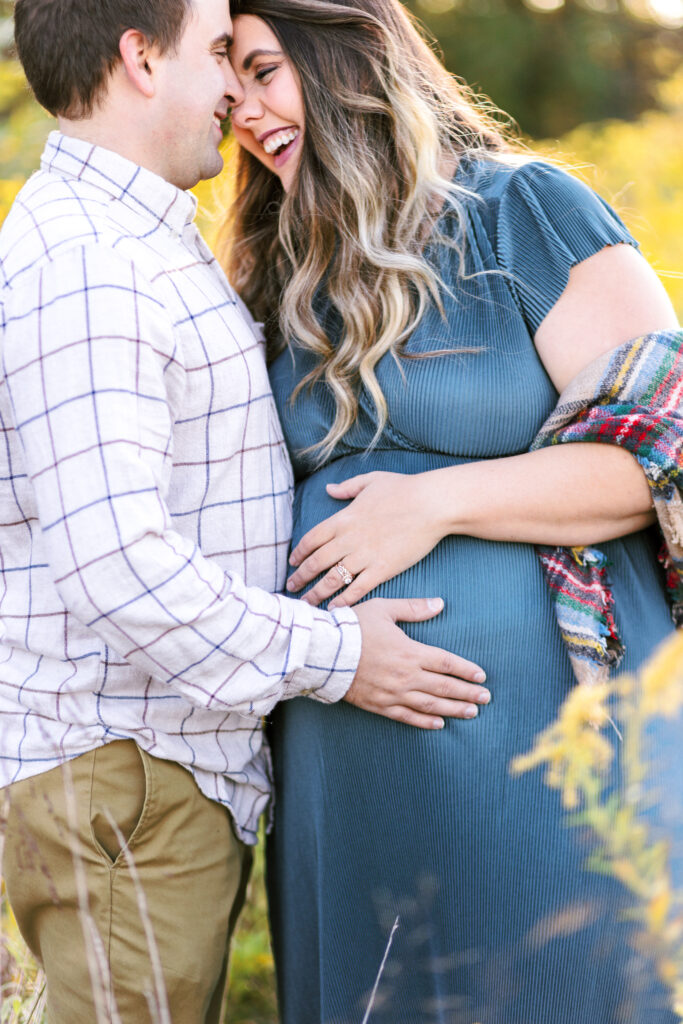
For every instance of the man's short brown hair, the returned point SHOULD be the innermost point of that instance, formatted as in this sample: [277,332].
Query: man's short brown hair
[70,48]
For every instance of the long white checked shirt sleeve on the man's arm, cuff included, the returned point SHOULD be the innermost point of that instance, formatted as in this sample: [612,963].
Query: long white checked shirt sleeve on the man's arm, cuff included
[96,382]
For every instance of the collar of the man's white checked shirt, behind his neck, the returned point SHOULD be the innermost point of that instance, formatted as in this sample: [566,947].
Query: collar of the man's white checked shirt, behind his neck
[146,193]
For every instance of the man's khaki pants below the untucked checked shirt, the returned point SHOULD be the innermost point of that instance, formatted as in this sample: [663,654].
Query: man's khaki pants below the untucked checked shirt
[63,854]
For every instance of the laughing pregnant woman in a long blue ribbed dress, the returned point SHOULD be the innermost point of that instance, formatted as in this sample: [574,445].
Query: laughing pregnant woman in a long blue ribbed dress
[428,292]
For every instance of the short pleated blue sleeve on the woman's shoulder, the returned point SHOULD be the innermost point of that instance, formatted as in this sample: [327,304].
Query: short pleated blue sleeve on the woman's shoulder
[549,222]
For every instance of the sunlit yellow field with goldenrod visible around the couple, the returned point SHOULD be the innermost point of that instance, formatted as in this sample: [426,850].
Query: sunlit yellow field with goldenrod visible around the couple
[638,167]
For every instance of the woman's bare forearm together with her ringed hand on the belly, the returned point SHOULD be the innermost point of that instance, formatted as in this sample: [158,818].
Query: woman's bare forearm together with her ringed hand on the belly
[569,495]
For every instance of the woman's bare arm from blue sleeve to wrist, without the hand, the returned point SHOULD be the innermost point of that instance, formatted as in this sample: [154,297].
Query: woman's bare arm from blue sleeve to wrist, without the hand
[576,494]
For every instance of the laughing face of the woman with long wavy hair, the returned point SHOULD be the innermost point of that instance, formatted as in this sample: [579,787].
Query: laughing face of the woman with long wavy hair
[270,121]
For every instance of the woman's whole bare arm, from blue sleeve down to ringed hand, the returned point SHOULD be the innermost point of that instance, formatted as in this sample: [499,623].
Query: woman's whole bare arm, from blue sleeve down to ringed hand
[566,495]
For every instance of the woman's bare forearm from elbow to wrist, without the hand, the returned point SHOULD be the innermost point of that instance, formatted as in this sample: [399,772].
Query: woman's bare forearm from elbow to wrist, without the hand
[572,494]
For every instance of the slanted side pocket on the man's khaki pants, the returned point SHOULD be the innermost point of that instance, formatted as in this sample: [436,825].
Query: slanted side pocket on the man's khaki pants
[118,794]
